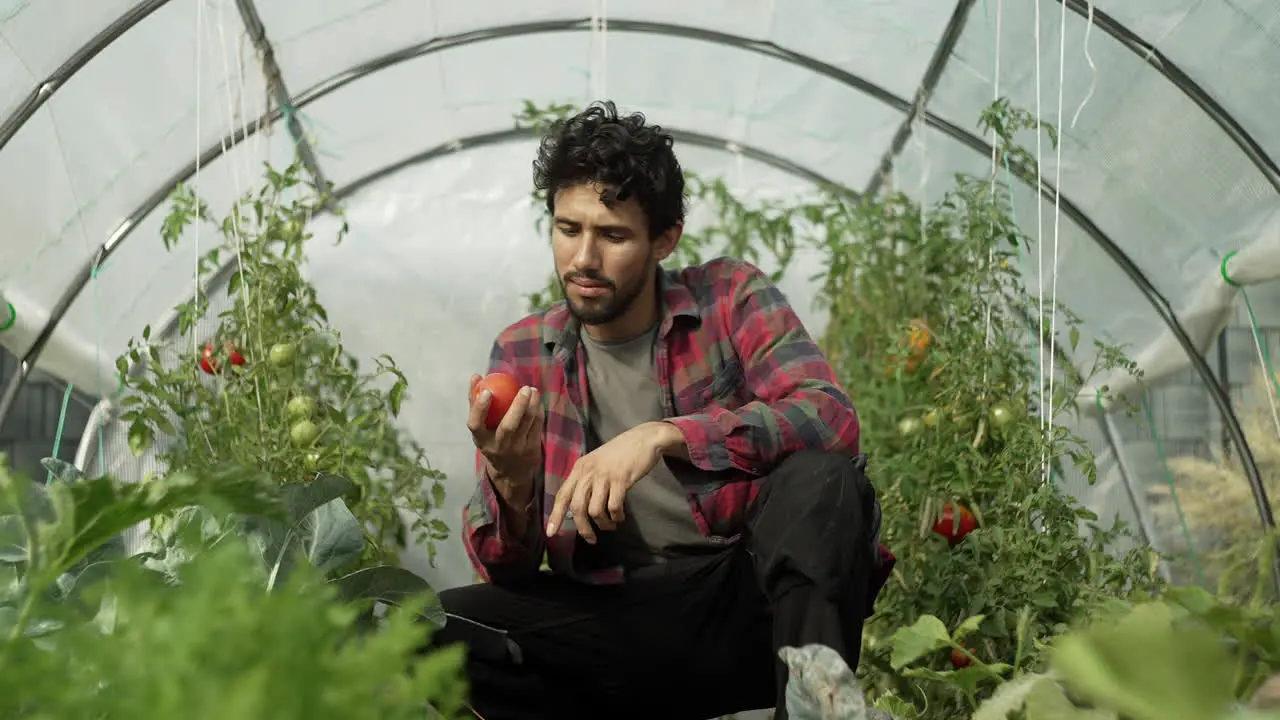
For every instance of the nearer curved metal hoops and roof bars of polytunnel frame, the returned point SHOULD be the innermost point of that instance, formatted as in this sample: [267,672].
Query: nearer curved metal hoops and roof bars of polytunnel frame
[913,112]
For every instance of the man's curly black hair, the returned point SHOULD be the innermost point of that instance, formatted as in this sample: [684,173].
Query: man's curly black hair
[623,154]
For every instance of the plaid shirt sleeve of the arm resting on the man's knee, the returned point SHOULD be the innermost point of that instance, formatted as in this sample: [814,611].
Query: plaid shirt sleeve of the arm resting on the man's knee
[799,404]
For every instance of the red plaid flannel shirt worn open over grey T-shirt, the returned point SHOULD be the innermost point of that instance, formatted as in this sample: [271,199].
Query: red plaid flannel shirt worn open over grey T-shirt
[742,380]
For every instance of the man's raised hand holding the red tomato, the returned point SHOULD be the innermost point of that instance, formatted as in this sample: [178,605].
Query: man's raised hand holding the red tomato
[514,452]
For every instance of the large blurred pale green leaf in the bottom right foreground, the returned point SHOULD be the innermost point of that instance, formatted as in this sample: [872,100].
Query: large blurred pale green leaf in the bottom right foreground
[1146,671]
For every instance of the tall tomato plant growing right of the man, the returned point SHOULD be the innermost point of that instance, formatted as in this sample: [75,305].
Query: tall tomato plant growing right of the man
[943,284]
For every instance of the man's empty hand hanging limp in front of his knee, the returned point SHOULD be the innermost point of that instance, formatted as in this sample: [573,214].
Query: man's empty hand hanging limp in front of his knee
[600,481]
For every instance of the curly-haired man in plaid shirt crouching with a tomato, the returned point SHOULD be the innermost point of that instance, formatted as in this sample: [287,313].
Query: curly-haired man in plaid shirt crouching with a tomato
[680,452]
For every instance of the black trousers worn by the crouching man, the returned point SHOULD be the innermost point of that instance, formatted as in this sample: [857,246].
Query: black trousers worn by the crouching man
[696,637]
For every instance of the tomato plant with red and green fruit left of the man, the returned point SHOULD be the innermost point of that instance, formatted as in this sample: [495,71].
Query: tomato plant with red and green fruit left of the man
[272,386]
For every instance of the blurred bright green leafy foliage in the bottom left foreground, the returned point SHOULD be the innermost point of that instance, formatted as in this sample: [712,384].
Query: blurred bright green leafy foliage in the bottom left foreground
[89,634]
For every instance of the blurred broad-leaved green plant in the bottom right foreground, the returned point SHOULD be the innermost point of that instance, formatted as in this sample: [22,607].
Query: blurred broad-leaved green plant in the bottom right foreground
[1185,657]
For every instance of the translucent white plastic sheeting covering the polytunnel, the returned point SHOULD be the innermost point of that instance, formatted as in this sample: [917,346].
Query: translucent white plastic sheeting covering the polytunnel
[441,253]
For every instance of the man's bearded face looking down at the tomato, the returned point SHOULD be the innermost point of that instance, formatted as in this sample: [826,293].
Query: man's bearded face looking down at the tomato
[605,257]
